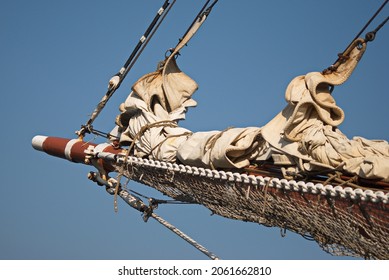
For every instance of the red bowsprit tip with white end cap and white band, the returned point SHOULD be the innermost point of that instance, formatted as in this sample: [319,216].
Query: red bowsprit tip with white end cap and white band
[72,149]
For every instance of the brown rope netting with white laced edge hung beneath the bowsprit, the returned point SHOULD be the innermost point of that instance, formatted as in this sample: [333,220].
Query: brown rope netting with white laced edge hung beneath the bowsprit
[343,221]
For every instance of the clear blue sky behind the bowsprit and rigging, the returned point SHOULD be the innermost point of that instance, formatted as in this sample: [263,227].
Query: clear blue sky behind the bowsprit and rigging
[56,58]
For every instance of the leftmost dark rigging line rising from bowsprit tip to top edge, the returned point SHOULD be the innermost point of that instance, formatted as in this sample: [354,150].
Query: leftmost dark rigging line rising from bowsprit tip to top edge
[116,80]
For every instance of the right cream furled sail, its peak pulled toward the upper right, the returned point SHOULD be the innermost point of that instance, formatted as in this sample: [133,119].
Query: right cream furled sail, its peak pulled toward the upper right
[307,127]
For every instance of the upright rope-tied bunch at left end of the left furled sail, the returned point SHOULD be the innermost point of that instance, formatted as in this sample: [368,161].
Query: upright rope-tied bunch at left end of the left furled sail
[152,110]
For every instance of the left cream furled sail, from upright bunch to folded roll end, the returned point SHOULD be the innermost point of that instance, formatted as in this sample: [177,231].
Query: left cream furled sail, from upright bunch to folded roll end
[152,111]
